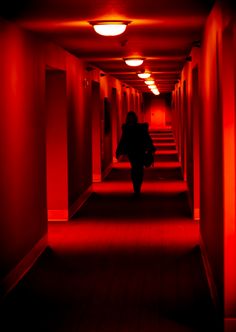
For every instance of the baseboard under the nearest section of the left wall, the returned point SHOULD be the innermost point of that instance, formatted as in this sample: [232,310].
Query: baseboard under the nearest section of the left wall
[16,274]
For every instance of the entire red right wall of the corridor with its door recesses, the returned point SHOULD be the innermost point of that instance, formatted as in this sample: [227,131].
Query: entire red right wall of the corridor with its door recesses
[208,140]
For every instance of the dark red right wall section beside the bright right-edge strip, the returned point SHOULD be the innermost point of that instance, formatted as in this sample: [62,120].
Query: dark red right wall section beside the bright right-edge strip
[212,222]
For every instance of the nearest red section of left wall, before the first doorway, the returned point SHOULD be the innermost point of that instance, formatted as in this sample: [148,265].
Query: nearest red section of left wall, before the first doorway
[23,153]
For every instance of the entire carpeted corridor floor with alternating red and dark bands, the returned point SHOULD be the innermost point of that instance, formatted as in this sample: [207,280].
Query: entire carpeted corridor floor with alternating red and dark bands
[123,264]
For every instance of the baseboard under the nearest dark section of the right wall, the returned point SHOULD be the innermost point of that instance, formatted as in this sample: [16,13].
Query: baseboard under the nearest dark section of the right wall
[209,275]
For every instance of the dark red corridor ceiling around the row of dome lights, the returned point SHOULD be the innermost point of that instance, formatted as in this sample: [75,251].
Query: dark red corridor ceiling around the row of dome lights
[162,31]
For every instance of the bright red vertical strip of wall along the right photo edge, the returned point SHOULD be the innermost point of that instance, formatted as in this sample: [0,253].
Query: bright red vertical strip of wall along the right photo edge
[228,74]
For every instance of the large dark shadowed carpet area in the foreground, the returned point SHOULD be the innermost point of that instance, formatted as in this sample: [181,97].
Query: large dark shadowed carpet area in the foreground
[146,290]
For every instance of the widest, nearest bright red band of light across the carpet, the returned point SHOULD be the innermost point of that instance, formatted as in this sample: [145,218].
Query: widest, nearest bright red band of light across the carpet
[99,236]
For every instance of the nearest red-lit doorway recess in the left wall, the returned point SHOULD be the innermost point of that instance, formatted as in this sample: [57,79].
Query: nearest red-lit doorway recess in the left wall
[56,145]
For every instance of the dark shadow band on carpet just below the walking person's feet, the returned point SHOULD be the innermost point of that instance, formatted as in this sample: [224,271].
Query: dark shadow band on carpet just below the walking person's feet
[125,206]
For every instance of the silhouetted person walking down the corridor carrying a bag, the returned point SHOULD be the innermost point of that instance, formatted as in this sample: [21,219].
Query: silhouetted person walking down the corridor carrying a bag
[134,142]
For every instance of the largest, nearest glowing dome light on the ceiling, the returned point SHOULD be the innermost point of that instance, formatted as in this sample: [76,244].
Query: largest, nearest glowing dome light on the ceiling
[109,28]
